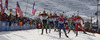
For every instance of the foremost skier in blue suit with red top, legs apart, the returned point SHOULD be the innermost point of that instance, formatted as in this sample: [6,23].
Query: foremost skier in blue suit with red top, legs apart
[61,25]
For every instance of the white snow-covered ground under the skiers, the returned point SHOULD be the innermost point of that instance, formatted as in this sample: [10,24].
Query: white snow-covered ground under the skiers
[35,34]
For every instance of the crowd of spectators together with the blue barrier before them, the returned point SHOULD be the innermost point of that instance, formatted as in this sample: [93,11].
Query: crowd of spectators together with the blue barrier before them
[13,22]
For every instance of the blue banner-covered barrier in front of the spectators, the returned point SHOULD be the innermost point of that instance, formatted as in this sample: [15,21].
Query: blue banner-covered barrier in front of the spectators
[14,26]
